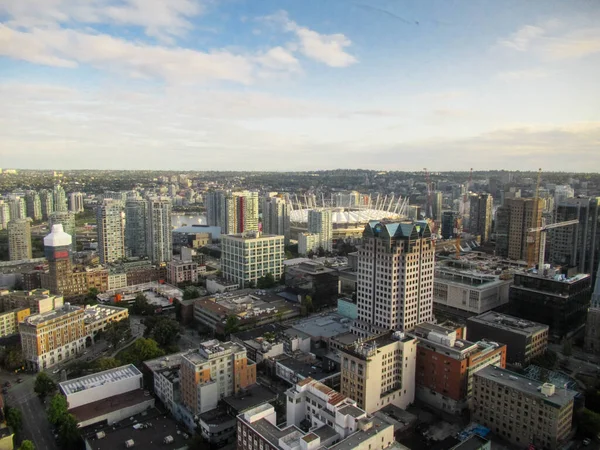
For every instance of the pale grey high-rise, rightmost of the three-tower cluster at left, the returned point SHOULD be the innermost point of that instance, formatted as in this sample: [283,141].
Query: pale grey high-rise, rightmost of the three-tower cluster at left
[158,230]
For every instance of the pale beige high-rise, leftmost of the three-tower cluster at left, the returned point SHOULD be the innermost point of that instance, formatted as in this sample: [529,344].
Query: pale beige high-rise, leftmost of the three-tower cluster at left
[110,226]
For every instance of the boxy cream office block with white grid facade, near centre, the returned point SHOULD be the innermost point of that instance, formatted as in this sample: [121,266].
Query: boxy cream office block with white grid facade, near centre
[247,257]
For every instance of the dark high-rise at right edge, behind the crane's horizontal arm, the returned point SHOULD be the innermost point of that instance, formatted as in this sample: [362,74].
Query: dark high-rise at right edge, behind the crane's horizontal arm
[577,245]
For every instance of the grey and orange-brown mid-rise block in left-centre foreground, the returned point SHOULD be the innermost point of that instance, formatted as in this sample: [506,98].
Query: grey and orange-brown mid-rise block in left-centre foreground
[213,371]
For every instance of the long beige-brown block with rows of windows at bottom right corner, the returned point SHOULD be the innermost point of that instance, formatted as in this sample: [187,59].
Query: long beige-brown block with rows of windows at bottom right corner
[521,410]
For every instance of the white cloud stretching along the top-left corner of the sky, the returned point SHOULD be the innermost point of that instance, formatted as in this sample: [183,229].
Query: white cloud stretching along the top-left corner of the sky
[159,18]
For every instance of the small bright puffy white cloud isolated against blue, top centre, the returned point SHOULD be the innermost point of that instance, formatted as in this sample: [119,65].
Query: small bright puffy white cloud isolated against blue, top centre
[328,49]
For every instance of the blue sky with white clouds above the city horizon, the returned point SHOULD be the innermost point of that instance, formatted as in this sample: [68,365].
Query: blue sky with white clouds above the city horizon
[300,84]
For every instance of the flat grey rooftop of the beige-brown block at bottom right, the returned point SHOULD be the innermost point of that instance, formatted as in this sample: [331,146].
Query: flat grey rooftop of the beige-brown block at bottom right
[526,385]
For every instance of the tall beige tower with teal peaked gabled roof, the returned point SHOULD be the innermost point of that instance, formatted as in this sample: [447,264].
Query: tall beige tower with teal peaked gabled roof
[395,277]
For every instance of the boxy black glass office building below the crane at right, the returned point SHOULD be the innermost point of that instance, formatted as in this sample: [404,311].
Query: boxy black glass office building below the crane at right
[551,299]
